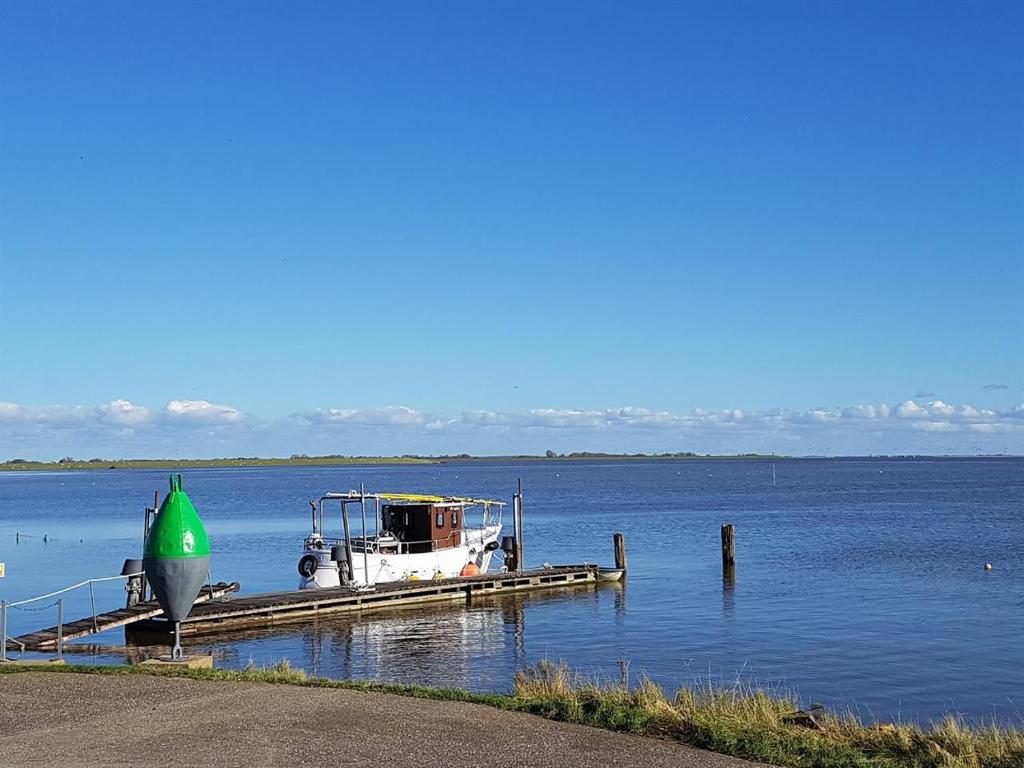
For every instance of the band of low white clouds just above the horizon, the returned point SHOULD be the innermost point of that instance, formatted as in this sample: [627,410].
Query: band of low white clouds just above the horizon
[200,429]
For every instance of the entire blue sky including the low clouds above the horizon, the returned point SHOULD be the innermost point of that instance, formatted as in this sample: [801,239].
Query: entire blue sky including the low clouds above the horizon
[270,228]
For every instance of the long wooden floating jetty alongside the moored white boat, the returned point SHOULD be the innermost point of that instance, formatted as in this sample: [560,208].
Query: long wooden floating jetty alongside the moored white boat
[269,610]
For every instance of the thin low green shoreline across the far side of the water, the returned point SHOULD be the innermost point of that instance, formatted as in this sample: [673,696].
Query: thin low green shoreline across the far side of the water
[20,465]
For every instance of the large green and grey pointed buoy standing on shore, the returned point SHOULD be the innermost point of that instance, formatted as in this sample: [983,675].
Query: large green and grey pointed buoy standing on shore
[177,558]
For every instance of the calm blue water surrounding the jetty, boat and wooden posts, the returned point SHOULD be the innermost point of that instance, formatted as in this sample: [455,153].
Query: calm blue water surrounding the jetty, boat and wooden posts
[860,583]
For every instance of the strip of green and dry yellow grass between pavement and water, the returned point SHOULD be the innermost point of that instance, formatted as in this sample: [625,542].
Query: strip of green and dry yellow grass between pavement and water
[741,722]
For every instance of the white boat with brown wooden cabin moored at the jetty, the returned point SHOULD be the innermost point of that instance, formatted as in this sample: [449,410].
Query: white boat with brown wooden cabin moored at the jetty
[408,537]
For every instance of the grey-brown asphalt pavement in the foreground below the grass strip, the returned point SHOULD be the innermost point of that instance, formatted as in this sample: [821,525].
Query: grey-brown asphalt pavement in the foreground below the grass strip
[98,720]
